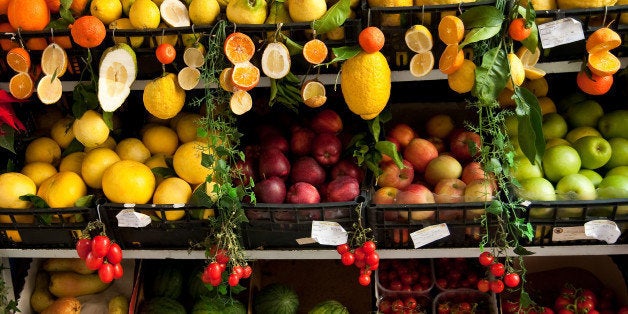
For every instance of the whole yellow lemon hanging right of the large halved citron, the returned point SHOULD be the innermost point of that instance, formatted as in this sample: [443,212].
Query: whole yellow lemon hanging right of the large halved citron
[163,97]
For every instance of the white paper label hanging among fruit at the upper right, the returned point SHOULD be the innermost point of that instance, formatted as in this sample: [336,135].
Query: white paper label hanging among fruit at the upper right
[560,32]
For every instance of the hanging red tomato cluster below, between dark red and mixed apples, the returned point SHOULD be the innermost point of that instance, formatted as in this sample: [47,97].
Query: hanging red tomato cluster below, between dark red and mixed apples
[363,257]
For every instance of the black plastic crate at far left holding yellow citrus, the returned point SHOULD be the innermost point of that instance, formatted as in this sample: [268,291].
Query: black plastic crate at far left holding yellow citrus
[44,227]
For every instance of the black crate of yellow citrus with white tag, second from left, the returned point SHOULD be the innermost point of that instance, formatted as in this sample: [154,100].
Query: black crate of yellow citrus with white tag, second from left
[160,233]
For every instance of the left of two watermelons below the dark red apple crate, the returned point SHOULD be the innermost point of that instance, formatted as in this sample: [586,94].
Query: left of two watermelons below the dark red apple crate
[276,298]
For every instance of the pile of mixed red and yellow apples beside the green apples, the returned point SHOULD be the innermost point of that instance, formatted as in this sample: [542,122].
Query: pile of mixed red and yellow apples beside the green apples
[437,168]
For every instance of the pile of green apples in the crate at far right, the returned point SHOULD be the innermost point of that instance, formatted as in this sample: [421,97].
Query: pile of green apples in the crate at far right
[586,157]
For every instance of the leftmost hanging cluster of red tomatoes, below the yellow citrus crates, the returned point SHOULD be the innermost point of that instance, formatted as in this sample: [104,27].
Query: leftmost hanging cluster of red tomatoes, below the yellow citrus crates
[103,255]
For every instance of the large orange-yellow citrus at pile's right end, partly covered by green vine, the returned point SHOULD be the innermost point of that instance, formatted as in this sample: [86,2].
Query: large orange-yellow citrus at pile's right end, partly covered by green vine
[187,162]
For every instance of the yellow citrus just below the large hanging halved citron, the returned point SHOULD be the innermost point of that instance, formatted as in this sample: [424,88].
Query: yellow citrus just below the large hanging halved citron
[90,129]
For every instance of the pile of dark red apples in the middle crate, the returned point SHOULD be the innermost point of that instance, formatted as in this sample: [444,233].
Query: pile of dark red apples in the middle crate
[303,165]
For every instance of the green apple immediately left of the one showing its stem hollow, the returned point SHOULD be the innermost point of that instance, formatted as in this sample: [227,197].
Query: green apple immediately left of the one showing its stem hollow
[559,161]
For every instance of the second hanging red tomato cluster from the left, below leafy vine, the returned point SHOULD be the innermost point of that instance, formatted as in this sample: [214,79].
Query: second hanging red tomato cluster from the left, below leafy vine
[214,271]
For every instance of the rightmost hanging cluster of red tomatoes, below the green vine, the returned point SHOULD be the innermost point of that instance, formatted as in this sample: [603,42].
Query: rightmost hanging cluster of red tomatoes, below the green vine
[502,277]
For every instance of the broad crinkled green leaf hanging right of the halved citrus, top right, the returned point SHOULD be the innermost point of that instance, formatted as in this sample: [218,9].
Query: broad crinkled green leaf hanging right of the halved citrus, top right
[491,75]
